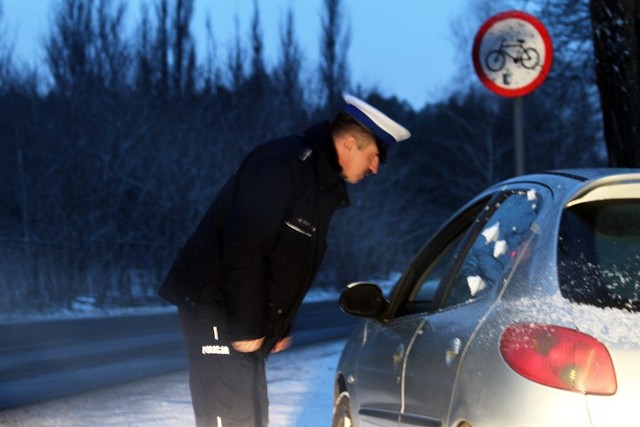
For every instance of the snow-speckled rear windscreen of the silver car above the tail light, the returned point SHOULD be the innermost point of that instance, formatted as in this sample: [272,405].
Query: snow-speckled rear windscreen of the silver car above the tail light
[599,254]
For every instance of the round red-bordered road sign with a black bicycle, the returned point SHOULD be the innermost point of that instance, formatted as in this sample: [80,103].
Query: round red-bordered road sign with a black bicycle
[512,53]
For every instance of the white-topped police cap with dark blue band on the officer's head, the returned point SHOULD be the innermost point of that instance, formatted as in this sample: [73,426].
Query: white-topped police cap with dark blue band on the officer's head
[383,127]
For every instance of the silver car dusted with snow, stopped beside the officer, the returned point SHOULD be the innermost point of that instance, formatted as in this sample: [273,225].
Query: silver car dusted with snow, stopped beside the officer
[522,310]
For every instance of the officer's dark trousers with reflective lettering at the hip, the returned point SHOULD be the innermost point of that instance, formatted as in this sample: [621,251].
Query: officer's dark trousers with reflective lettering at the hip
[228,388]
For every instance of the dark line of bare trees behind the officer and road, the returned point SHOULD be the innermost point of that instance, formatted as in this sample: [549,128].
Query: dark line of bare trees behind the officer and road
[107,168]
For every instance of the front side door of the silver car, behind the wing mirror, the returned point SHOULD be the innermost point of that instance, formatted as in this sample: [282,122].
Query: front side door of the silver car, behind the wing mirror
[381,361]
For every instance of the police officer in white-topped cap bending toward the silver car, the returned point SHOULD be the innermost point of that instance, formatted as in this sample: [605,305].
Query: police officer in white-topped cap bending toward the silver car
[241,276]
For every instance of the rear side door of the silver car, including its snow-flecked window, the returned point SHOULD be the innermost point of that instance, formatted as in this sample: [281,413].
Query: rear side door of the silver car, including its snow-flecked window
[483,258]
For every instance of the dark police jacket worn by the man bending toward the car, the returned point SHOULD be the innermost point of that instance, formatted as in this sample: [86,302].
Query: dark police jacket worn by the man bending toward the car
[254,255]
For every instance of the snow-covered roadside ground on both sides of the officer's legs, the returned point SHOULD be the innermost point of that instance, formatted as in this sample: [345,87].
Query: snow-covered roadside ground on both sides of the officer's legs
[300,394]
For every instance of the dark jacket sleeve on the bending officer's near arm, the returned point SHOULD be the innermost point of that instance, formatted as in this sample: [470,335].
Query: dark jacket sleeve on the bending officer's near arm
[264,197]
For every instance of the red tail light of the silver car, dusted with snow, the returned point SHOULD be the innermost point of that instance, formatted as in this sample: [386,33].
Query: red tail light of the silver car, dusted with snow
[559,357]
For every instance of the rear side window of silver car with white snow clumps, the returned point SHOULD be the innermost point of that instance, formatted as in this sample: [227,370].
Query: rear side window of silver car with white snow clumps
[494,248]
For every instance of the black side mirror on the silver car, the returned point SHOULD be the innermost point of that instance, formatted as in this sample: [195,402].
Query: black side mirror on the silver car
[363,299]
